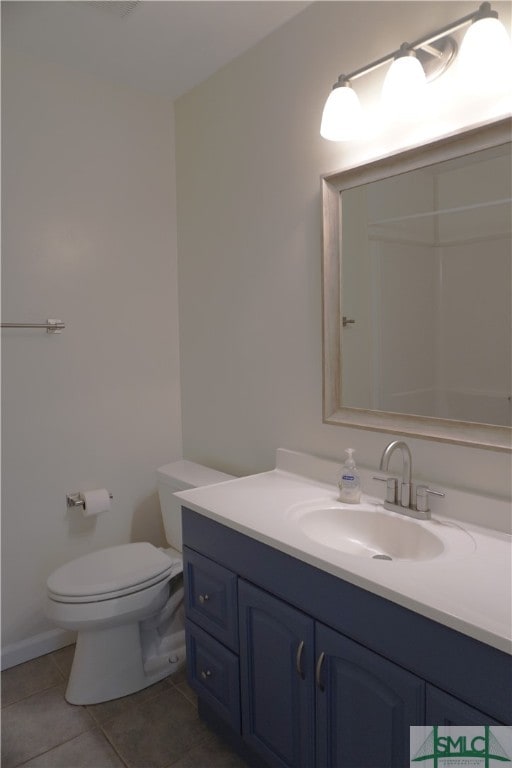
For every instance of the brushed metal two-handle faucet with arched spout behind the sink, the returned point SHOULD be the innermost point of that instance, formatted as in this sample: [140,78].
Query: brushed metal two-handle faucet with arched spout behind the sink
[400,496]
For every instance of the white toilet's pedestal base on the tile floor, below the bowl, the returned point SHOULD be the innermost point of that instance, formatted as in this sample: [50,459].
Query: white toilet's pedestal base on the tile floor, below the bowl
[108,664]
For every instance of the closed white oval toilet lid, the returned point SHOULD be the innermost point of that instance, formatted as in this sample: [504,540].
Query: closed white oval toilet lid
[111,570]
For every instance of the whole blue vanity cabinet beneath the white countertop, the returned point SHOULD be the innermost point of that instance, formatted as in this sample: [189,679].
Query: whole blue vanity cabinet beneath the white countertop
[329,675]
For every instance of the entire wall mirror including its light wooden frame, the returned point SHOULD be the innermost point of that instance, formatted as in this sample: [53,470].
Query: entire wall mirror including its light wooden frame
[417,291]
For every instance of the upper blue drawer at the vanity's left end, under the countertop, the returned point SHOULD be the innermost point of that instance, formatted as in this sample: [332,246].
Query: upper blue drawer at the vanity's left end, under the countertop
[211,597]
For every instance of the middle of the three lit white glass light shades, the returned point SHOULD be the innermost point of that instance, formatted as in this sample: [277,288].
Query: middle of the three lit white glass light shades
[403,92]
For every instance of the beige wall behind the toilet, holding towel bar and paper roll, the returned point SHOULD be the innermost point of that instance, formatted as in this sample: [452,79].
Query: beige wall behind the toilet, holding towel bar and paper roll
[88,237]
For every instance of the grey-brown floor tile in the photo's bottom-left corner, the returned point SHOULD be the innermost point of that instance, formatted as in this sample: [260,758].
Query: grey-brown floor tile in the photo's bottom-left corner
[38,723]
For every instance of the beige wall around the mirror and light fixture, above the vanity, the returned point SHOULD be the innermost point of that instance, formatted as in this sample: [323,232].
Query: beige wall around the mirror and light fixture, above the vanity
[249,160]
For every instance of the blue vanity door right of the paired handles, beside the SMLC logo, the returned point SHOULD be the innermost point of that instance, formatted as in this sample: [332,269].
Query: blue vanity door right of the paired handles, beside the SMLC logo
[365,705]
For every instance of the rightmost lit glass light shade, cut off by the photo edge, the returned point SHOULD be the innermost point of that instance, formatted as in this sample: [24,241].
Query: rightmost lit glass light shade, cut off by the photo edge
[485,56]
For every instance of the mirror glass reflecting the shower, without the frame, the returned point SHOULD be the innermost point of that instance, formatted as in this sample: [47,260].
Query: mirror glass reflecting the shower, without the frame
[426,277]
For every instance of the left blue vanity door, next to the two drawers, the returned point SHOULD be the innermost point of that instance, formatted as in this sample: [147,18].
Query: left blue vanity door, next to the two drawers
[277,679]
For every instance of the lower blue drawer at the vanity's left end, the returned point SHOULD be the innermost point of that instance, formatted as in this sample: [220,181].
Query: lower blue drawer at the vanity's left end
[213,673]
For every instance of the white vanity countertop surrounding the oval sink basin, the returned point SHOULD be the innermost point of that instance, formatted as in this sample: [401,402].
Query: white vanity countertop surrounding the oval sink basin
[470,592]
